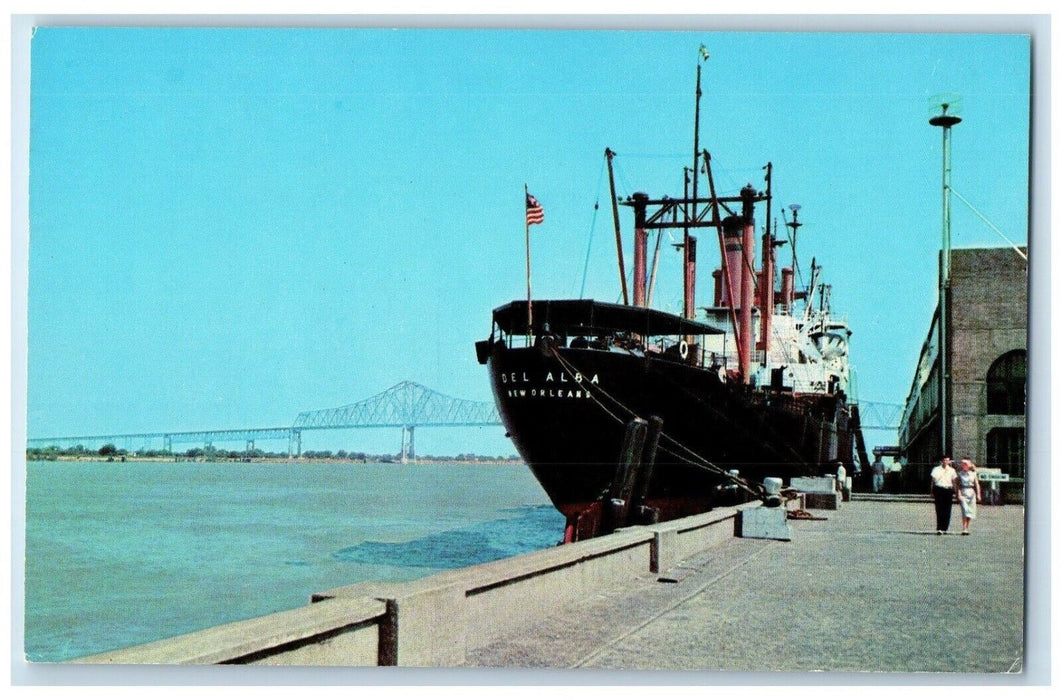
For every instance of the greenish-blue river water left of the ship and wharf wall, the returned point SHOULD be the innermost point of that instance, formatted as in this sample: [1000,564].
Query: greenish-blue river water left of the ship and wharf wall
[122,554]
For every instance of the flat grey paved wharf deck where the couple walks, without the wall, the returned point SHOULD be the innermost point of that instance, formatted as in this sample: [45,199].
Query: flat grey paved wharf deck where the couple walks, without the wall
[872,589]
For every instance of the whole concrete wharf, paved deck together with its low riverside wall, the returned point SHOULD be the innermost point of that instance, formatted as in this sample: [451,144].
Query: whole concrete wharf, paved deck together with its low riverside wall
[868,588]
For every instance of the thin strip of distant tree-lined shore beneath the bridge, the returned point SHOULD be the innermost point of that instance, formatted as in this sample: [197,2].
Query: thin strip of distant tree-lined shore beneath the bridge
[111,452]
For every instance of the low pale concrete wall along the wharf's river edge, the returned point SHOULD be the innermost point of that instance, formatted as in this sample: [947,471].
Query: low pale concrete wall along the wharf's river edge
[435,621]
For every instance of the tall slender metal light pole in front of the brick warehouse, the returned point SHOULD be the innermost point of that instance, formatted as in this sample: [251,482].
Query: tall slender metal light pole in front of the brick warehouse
[946,122]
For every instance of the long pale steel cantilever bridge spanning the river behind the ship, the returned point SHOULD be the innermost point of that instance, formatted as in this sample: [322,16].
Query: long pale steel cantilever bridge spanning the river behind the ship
[407,406]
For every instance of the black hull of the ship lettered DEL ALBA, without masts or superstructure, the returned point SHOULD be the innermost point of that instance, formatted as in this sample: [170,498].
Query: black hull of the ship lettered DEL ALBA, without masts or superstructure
[567,412]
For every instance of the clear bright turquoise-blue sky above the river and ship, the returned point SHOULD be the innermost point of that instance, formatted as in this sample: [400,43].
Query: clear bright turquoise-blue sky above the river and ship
[231,227]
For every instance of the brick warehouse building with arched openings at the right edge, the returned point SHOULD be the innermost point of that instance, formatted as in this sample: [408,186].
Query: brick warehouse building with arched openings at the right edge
[986,344]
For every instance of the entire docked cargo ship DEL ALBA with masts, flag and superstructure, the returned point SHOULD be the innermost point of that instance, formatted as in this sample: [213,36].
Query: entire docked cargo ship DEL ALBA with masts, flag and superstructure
[629,415]
